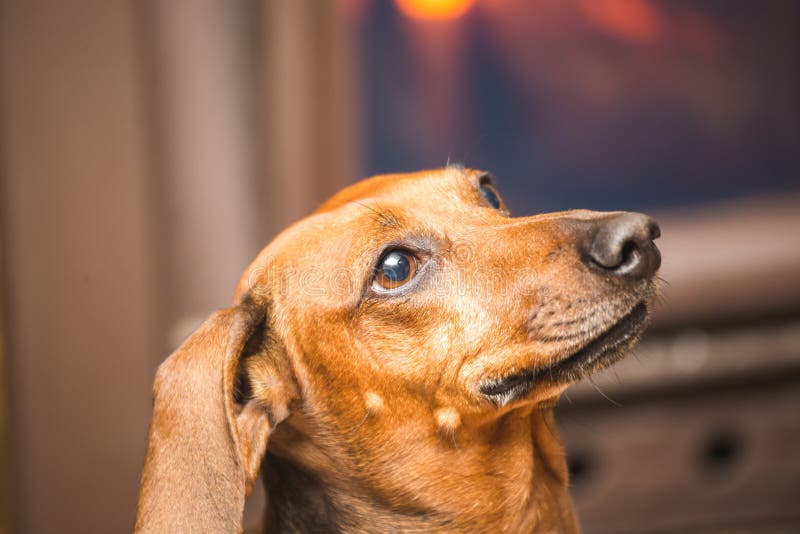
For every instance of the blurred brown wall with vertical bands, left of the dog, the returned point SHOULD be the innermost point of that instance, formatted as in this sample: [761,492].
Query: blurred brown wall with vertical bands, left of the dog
[147,151]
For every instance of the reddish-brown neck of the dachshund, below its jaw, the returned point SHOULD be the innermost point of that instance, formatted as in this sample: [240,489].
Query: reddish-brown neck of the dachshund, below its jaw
[509,475]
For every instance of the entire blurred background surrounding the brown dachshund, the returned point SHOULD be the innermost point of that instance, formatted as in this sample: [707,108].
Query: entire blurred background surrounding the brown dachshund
[149,149]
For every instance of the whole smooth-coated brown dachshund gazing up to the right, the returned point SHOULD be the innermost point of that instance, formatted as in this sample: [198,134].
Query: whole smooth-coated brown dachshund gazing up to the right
[390,363]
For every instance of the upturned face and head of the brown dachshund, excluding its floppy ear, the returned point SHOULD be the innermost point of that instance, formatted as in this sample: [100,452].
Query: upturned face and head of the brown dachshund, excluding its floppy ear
[424,285]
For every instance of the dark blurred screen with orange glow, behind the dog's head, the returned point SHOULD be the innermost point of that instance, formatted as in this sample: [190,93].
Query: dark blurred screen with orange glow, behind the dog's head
[599,104]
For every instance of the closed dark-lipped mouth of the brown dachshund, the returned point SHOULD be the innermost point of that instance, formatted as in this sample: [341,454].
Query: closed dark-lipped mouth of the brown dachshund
[602,351]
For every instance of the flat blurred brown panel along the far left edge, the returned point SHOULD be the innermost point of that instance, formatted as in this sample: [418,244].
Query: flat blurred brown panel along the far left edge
[80,287]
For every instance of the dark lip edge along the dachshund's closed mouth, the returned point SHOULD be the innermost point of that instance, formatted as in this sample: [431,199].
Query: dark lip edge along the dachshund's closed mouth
[598,348]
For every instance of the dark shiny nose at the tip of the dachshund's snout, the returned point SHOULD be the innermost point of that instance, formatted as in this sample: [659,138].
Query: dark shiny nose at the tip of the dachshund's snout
[622,245]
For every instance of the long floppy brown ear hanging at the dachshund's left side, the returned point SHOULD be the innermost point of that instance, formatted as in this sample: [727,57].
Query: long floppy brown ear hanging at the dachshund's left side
[207,435]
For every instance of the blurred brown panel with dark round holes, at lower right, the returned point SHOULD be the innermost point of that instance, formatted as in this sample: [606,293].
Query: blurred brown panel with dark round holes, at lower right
[707,461]
